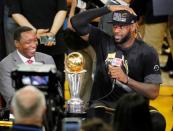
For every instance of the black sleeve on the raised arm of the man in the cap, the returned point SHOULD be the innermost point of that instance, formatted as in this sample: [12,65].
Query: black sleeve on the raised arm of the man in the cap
[80,22]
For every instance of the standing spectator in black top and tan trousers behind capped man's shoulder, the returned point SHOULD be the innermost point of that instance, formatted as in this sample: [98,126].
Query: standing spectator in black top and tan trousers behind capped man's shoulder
[156,27]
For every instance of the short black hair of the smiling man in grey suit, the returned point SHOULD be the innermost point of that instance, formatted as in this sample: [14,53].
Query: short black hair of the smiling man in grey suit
[19,30]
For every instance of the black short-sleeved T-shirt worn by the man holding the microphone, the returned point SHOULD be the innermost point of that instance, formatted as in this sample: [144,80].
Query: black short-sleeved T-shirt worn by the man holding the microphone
[142,61]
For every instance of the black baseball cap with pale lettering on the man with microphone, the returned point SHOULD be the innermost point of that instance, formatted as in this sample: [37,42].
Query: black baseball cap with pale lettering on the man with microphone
[122,17]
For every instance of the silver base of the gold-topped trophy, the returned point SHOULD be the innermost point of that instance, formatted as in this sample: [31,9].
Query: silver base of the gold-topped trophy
[75,106]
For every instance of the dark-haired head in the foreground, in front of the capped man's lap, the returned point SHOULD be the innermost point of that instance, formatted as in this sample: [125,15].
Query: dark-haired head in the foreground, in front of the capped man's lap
[132,114]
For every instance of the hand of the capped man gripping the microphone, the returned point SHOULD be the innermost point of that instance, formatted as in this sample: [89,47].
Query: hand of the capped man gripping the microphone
[117,73]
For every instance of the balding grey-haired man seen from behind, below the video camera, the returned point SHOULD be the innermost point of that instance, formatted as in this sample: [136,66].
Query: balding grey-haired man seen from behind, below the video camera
[28,106]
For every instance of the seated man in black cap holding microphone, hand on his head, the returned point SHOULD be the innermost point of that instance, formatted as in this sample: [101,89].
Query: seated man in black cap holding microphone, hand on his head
[124,63]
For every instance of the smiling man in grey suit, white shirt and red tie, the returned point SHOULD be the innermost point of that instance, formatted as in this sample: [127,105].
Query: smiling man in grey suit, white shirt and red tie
[26,45]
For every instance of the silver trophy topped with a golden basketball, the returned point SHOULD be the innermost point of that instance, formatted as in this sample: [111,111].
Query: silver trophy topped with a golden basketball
[74,64]
